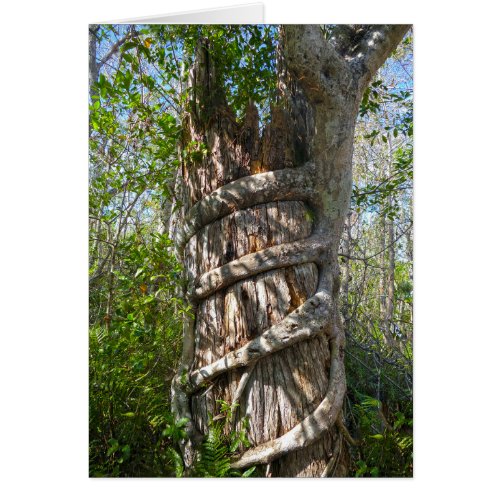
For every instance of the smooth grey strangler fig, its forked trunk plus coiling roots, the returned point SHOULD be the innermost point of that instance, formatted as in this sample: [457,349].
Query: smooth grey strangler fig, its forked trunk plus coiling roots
[333,81]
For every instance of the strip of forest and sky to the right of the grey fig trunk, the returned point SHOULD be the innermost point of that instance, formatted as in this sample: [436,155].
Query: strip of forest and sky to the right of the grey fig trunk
[378,246]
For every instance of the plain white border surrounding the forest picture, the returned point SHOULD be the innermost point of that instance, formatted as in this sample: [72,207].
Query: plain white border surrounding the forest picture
[44,295]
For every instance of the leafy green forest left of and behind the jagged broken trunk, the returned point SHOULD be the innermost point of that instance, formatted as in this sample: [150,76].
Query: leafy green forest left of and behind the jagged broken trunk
[137,102]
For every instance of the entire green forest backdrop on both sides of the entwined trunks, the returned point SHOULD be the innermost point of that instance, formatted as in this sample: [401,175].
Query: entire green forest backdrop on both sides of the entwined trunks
[138,101]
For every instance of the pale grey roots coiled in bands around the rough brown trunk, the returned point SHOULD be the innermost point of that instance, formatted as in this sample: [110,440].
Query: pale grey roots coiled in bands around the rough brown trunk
[314,316]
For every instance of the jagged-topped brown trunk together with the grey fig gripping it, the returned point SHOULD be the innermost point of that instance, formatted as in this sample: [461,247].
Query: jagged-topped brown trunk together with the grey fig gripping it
[259,230]
